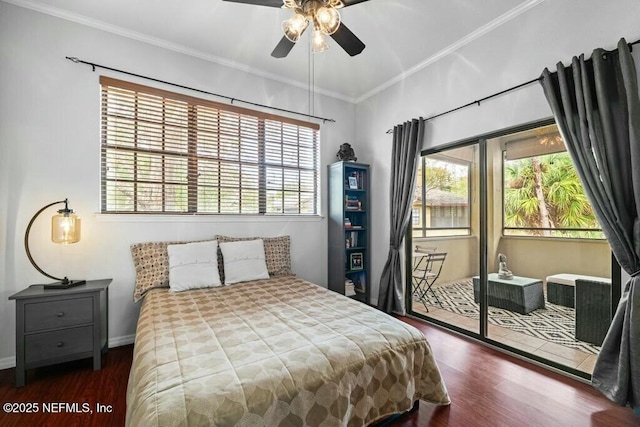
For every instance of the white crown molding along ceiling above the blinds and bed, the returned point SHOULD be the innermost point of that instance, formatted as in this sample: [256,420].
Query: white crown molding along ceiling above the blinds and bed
[144,38]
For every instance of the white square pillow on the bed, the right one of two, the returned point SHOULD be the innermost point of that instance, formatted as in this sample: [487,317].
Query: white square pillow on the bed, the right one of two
[244,261]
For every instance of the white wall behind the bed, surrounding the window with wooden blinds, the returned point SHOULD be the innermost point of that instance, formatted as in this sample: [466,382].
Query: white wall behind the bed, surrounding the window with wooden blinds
[49,150]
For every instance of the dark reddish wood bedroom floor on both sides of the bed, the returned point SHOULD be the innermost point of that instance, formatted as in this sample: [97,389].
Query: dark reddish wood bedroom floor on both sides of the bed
[487,388]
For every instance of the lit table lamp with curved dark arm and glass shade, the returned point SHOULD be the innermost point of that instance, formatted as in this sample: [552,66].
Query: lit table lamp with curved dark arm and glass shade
[65,229]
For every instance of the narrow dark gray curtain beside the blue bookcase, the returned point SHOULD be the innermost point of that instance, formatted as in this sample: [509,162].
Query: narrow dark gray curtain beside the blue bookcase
[407,141]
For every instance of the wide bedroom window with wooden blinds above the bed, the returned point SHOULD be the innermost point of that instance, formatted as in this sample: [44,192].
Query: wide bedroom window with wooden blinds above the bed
[164,152]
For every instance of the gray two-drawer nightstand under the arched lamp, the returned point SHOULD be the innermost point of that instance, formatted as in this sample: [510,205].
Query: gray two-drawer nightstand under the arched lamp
[59,325]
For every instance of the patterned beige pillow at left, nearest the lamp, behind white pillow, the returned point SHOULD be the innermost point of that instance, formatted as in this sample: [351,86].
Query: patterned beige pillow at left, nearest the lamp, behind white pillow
[151,261]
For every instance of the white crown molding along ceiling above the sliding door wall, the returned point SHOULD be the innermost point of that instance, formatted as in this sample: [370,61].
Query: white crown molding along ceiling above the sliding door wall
[502,19]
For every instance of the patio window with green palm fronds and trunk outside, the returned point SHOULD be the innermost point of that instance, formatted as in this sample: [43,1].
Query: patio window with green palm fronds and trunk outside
[543,195]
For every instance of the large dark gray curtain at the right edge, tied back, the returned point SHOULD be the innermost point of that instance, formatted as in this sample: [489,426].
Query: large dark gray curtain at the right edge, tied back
[595,104]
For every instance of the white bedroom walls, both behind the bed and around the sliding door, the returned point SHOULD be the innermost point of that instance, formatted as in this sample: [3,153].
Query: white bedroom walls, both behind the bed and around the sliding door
[49,124]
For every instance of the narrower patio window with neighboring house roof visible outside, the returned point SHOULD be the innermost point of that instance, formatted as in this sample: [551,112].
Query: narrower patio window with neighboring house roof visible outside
[441,198]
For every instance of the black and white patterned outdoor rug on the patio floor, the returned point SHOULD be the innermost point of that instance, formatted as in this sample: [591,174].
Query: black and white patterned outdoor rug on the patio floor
[553,323]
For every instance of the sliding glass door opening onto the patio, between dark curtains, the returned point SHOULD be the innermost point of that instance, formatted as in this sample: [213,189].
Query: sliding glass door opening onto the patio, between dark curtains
[527,267]
